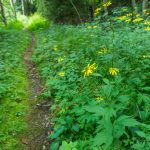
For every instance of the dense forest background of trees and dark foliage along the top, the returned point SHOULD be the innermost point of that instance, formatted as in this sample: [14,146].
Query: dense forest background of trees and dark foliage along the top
[66,11]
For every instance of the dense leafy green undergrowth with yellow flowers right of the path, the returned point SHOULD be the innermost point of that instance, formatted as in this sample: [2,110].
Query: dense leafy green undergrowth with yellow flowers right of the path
[93,107]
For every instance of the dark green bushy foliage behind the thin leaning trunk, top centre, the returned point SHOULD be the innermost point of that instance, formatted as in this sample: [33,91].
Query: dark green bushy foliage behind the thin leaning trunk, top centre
[62,11]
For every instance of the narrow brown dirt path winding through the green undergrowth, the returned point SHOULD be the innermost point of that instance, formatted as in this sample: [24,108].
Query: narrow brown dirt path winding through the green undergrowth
[35,137]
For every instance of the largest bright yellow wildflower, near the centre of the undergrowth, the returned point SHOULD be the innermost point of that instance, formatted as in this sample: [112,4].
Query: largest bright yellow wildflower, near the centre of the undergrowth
[89,69]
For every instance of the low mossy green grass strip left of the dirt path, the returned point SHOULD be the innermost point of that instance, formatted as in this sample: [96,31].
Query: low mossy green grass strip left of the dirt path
[13,87]
